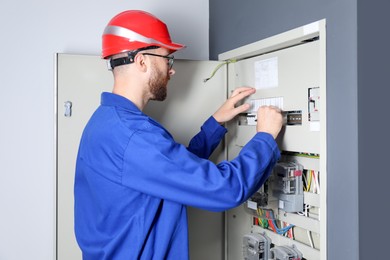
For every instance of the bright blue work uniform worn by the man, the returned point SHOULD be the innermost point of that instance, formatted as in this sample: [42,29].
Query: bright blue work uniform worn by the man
[133,182]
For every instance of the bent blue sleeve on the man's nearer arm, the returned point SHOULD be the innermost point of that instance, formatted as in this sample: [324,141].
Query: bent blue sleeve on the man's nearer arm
[155,164]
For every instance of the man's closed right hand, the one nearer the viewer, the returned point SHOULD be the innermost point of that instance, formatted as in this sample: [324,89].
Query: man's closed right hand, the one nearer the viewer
[269,120]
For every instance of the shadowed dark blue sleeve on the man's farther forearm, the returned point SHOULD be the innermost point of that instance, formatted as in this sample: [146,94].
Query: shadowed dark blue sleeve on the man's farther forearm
[204,143]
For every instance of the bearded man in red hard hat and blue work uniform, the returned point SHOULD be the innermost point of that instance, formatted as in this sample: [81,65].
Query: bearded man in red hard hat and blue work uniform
[133,181]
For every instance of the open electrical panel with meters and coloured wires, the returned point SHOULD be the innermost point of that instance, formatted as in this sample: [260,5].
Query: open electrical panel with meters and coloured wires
[289,210]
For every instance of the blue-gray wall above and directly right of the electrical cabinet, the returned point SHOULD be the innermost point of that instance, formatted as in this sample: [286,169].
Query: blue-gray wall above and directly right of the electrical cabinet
[236,23]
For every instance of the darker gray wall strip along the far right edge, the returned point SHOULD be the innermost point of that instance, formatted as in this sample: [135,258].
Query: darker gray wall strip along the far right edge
[373,127]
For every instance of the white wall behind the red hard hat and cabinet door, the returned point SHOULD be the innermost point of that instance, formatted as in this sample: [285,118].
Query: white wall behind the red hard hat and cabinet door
[32,31]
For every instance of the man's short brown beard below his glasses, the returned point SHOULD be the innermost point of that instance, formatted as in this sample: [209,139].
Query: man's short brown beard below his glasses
[158,85]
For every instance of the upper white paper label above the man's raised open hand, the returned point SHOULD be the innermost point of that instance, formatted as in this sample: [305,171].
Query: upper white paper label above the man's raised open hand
[266,73]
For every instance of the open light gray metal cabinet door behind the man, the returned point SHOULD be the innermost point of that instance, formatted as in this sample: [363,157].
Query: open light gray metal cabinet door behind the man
[80,79]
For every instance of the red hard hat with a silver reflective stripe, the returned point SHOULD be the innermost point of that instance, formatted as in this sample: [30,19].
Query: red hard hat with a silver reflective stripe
[134,29]
